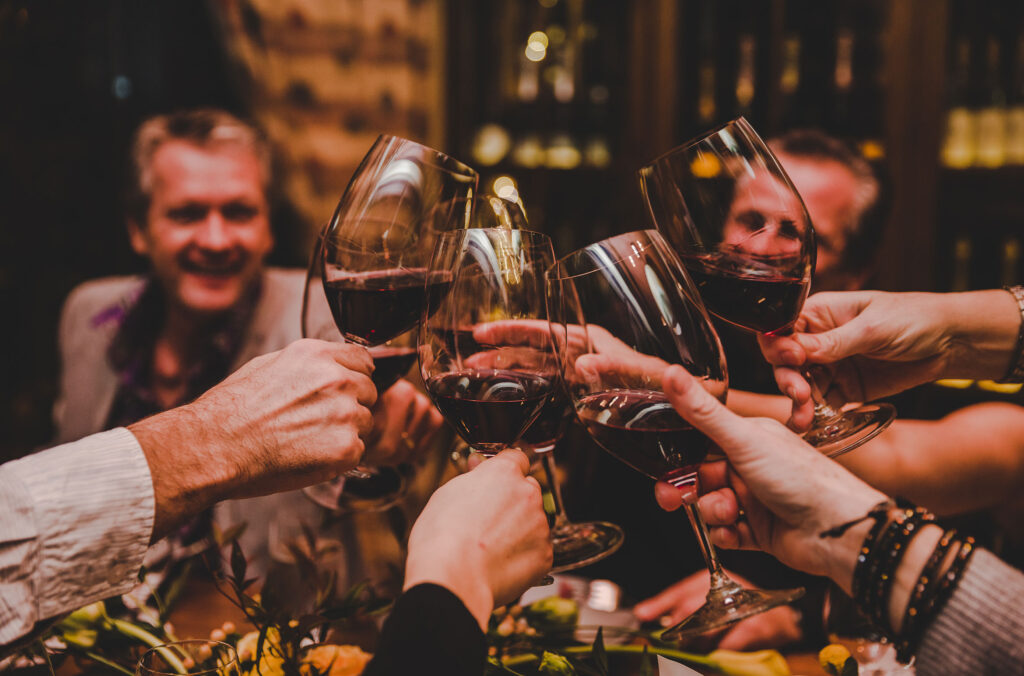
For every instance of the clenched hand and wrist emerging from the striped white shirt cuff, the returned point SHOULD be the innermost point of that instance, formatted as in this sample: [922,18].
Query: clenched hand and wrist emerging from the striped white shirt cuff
[283,421]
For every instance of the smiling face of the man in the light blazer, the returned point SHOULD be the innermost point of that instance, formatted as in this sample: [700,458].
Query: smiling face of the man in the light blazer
[207,230]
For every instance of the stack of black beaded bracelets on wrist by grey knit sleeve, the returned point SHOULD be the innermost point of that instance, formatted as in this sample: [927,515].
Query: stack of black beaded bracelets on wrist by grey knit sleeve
[897,523]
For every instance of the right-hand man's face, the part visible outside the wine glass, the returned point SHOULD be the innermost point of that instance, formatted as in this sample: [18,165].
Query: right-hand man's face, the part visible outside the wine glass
[830,192]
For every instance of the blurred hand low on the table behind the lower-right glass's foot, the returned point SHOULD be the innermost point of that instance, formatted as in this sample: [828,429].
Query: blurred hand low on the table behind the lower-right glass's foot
[773,629]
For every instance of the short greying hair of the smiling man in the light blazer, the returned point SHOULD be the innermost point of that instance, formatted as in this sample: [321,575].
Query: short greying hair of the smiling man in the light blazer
[208,129]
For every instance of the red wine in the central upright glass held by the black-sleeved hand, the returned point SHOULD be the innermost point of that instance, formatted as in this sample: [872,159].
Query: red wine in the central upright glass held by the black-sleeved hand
[490,408]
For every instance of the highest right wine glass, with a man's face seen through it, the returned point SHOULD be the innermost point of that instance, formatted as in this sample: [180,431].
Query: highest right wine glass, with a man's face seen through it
[740,227]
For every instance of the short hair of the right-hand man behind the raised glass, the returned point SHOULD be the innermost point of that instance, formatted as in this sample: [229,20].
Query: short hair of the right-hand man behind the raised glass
[871,201]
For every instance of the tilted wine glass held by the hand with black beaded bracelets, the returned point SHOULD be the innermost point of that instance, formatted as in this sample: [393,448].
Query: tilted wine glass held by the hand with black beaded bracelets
[622,312]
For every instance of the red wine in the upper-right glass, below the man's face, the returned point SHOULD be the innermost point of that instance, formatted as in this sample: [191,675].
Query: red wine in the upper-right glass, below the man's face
[746,293]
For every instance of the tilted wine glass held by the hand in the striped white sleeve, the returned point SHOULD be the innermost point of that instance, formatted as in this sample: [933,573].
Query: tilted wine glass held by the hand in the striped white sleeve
[371,260]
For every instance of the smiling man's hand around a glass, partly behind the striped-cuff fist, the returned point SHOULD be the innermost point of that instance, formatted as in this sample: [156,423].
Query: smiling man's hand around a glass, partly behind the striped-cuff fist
[405,426]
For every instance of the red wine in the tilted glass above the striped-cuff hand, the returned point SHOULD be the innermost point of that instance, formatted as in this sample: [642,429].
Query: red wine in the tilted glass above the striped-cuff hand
[375,307]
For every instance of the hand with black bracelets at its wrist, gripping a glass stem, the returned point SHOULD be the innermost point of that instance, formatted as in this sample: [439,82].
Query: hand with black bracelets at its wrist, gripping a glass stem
[790,492]
